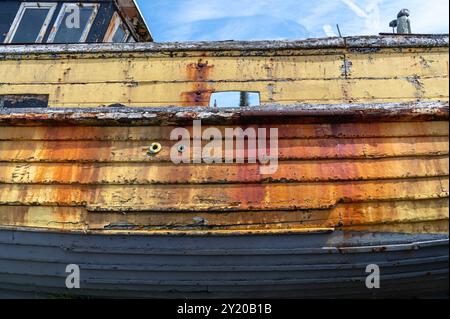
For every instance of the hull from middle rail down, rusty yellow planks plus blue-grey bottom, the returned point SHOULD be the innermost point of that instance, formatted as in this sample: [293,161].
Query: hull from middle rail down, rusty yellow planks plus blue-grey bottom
[351,191]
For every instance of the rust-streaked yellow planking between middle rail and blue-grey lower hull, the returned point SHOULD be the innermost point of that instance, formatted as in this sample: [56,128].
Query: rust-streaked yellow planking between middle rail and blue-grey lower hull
[361,176]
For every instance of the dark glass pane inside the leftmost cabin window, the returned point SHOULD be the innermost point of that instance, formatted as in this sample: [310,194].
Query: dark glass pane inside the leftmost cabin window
[30,25]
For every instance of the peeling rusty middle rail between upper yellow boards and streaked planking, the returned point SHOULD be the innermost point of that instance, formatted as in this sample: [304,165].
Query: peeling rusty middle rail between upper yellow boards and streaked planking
[298,113]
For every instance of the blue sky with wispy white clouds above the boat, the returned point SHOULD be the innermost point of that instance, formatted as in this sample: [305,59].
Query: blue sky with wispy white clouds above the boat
[193,20]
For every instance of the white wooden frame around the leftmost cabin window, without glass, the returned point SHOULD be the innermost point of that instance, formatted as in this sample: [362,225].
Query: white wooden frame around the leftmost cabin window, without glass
[19,16]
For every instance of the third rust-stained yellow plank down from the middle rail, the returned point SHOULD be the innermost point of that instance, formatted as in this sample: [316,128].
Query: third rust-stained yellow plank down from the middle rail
[167,173]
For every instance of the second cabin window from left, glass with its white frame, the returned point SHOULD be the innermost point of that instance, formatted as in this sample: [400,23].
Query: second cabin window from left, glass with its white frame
[73,23]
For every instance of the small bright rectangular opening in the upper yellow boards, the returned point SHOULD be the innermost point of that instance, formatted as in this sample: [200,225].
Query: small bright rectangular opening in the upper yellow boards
[234,99]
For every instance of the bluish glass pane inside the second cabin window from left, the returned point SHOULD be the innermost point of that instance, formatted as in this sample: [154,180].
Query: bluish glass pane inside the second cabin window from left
[73,24]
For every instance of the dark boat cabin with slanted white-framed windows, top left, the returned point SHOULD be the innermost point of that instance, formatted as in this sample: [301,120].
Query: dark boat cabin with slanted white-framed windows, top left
[62,21]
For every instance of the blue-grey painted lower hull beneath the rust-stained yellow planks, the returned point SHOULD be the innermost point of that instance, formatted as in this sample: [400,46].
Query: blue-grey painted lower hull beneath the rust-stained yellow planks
[325,265]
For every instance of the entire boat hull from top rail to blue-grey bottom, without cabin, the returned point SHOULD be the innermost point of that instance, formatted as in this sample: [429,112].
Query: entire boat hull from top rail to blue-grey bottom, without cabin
[362,172]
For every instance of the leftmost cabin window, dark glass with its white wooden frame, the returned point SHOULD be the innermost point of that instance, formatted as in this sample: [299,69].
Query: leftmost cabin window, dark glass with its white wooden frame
[31,22]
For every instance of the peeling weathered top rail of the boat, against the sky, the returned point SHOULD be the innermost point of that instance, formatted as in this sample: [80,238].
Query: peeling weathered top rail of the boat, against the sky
[384,41]
